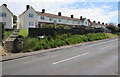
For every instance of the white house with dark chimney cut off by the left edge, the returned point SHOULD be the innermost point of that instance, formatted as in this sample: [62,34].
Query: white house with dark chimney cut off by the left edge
[6,17]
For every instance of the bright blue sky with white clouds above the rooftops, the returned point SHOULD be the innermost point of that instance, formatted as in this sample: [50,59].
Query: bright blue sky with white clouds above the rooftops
[99,10]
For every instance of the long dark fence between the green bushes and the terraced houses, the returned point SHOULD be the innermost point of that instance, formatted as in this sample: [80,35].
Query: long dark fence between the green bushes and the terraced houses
[33,32]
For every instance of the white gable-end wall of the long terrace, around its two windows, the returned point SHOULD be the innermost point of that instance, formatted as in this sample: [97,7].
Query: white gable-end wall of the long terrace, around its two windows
[24,19]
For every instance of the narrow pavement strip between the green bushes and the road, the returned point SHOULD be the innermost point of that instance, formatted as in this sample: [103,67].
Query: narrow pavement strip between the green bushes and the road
[22,55]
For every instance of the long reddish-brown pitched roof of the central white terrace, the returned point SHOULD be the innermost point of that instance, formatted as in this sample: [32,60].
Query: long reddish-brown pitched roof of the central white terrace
[56,16]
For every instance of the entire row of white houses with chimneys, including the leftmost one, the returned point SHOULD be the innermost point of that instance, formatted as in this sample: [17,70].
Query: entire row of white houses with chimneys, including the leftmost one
[34,19]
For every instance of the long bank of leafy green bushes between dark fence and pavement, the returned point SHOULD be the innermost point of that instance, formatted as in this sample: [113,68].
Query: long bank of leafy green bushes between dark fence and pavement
[33,44]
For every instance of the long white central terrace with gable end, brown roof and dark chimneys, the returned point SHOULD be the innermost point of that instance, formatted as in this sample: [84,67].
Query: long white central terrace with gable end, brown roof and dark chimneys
[34,19]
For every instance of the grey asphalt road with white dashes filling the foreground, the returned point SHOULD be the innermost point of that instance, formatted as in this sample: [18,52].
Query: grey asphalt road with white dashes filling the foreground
[93,59]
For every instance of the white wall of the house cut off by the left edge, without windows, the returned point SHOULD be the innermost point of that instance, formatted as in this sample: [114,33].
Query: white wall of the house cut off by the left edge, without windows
[8,19]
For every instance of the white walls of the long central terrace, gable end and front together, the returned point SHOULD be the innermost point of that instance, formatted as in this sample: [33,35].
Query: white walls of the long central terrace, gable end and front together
[24,20]
